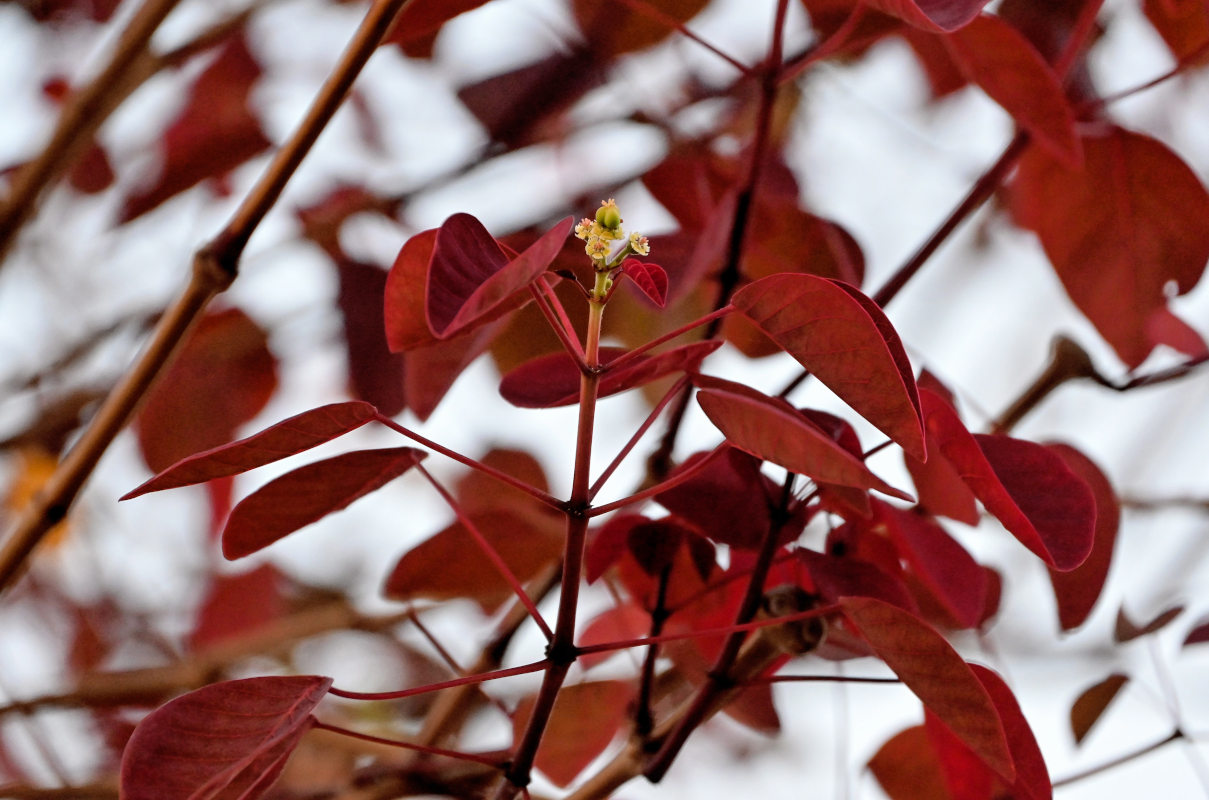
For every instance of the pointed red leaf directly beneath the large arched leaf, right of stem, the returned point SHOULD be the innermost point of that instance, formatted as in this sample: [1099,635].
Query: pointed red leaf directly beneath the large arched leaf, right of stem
[772,430]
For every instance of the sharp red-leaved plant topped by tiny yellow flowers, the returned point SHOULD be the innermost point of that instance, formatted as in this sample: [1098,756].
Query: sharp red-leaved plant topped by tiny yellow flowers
[713,637]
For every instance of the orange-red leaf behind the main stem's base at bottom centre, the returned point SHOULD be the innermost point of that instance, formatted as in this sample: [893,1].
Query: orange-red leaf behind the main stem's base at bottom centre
[585,721]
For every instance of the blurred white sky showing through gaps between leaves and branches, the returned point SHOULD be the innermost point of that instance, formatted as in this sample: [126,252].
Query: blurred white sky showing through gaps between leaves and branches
[870,154]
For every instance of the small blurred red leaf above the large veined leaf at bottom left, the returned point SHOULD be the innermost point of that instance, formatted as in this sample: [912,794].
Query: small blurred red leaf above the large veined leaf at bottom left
[238,605]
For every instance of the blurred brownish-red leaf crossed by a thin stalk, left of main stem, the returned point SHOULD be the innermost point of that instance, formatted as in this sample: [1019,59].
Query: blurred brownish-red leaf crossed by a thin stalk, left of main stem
[450,565]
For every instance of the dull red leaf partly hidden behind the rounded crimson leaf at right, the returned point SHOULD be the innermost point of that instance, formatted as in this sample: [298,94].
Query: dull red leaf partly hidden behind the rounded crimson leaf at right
[1079,589]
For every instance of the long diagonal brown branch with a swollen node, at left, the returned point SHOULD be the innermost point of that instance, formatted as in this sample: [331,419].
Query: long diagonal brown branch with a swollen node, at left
[215,268]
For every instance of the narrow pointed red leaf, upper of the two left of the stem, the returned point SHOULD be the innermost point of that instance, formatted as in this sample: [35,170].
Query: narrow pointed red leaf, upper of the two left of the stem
[287,438]
